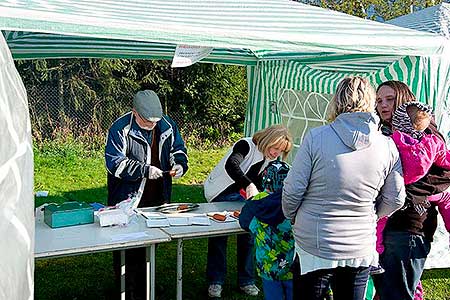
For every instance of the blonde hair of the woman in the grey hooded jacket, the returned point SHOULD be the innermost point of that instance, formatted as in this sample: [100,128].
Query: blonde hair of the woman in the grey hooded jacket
[353,94]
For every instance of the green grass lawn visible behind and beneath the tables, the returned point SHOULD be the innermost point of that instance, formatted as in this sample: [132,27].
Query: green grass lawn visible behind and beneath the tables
[69,175]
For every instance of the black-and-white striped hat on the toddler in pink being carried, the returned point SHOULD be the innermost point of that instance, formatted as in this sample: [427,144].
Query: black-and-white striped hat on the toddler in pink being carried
[402,122]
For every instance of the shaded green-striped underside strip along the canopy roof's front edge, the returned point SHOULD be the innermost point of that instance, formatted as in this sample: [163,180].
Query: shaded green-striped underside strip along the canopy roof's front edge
[72,46]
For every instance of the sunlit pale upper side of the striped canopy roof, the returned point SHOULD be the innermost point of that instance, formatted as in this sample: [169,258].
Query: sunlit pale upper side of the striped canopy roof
[271,25]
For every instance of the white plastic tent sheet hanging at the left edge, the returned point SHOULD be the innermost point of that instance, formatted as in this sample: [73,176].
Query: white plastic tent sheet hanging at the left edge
[16,184]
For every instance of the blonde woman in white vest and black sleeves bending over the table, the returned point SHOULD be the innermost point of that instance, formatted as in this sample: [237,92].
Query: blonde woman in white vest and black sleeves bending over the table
[237,178]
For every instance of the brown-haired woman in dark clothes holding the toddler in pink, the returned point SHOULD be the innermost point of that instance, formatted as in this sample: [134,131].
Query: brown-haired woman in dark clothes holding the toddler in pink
[409,231]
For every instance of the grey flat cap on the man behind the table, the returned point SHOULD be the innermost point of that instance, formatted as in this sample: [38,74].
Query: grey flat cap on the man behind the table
[147,105]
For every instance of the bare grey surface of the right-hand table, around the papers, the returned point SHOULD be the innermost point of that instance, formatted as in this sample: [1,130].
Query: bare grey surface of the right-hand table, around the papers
[215,229]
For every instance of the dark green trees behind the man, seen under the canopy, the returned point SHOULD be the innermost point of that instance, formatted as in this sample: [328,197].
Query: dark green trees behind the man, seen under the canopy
[85,96]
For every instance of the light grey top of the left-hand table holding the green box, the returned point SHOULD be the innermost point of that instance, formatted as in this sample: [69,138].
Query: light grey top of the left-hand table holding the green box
[74,240]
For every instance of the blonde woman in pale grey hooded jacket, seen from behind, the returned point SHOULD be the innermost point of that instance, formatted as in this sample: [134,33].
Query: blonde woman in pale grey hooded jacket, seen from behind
[339,172]
